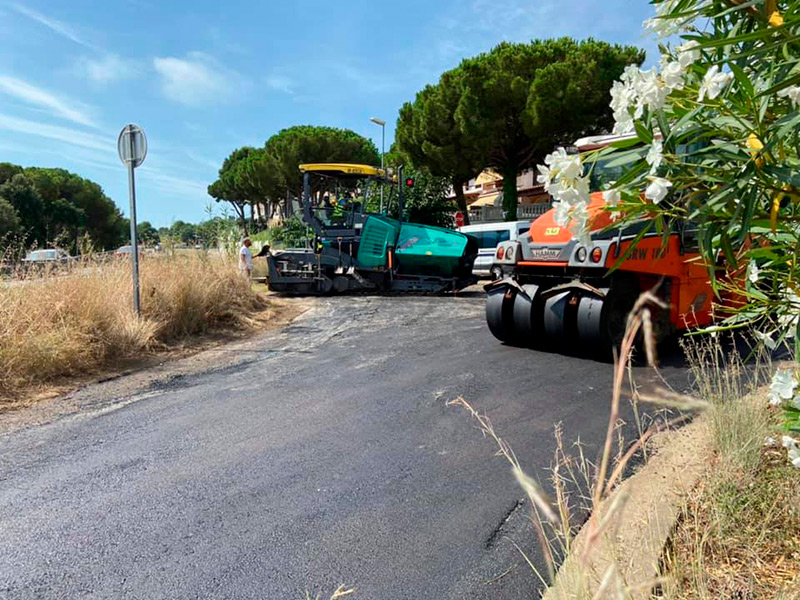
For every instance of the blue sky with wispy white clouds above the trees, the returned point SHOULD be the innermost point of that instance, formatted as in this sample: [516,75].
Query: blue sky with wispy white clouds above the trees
[205,77]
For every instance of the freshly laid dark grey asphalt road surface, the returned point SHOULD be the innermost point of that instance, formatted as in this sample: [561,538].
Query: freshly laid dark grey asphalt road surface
[325,454]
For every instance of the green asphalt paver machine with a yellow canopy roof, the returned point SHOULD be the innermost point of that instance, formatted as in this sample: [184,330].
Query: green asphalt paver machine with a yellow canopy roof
[352,249]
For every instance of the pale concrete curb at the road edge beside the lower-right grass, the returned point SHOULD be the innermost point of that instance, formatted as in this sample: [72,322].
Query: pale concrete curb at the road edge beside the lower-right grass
[636,535]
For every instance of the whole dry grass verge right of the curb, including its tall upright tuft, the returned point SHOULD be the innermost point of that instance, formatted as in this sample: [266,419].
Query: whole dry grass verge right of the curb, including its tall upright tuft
[739,532]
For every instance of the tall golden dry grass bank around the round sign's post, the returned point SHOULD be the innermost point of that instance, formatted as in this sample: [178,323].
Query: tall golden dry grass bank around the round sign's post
[61,325]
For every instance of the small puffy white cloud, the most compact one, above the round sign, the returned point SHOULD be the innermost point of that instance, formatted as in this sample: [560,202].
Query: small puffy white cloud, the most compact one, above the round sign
[197,79]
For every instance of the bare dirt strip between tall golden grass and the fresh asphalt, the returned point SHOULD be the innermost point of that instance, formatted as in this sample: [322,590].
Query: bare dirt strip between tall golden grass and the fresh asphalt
[195,355]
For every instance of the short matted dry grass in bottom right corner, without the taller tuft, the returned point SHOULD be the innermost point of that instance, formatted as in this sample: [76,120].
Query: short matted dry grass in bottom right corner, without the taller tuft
[739,537]
